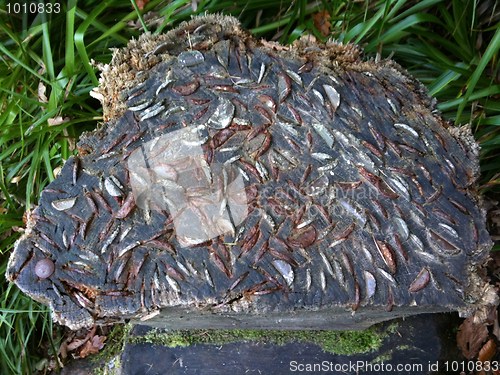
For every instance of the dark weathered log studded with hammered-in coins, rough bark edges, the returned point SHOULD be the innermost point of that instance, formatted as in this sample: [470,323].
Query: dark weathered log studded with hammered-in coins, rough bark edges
[241,183]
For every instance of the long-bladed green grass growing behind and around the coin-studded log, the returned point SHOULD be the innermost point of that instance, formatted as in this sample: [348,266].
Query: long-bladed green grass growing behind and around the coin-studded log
[46,74]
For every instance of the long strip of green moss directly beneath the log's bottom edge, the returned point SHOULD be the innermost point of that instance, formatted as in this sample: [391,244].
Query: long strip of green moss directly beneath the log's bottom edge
[338,342]
